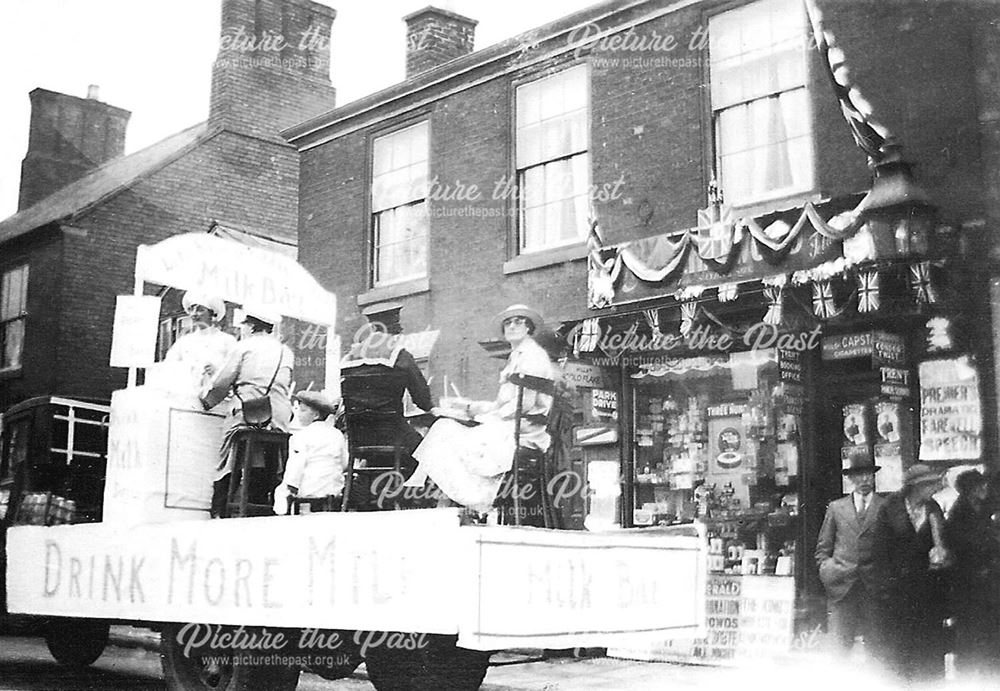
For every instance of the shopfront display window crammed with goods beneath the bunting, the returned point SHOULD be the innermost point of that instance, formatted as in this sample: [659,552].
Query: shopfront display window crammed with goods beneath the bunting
[717,439]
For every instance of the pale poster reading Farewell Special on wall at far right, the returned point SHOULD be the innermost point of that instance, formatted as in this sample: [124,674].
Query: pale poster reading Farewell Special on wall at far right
[950,412]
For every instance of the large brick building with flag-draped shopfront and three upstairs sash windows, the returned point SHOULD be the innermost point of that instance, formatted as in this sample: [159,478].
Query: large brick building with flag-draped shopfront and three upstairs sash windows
[469,186]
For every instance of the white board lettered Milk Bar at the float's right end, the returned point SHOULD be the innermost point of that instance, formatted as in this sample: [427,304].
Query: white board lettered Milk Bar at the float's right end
[561,589]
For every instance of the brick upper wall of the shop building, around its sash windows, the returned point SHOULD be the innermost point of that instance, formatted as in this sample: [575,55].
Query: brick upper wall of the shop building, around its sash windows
[650,126]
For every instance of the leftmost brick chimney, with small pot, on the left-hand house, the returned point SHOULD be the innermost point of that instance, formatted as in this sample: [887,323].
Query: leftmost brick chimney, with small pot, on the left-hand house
[68,137]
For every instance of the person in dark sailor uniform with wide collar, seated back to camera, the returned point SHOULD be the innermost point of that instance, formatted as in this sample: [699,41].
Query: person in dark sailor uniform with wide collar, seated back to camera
[376,374]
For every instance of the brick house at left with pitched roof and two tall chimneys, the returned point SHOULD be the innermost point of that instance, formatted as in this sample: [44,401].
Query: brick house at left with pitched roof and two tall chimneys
[84,208]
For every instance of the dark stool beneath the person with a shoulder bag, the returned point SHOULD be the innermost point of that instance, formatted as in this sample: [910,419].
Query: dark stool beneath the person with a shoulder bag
[258,463]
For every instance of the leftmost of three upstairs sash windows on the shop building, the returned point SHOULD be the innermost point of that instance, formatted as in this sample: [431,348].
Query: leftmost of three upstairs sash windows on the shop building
[399,187]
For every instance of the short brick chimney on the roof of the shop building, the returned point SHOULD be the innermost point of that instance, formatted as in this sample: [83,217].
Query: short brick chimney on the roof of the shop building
[434,37]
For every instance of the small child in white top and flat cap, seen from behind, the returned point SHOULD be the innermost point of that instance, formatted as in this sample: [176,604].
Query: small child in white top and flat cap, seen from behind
[317,457]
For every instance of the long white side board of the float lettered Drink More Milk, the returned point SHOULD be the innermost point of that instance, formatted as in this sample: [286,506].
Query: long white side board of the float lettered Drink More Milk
[387,571]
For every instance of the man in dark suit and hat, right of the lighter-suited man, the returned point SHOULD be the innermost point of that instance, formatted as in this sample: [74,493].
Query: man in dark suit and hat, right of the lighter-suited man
[908,557]
